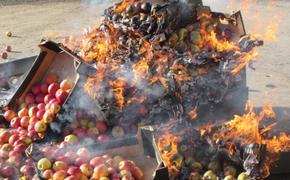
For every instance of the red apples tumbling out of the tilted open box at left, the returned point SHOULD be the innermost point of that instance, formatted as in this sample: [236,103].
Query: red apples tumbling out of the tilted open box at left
[40,107]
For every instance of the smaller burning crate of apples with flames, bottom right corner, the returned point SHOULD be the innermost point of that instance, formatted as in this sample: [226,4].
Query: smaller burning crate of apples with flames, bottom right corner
[243,145]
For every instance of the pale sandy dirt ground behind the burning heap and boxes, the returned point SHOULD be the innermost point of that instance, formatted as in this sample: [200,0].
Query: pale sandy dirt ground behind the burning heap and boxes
[31,21]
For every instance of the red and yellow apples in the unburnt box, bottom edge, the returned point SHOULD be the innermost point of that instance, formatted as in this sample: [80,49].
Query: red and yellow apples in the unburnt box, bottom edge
[81,164]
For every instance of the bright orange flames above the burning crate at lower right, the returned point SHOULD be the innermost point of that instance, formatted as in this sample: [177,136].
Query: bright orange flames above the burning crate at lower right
[249,129]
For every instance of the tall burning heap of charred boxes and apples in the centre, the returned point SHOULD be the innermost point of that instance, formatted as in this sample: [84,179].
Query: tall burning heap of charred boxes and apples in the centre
[155,62]
